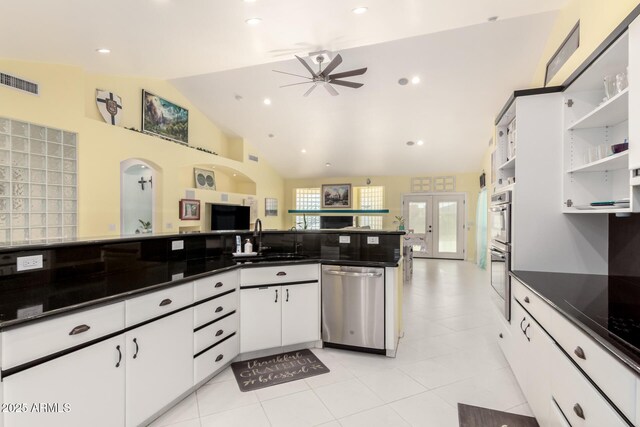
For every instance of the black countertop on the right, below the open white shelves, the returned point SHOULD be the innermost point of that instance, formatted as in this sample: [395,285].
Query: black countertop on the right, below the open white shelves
[607,308]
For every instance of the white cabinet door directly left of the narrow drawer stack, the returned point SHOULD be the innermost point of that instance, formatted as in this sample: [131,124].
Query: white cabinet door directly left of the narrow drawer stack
[159,365]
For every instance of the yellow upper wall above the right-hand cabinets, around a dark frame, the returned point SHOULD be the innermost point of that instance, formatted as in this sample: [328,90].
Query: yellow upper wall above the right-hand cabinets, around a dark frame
[598,18]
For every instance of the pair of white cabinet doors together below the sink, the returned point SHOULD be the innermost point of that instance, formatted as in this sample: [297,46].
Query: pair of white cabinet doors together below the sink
[276,316]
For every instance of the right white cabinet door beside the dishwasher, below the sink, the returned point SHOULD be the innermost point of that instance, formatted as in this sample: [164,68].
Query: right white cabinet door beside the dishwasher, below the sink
[300,315]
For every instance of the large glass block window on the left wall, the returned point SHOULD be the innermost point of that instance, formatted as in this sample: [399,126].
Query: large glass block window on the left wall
[38,183]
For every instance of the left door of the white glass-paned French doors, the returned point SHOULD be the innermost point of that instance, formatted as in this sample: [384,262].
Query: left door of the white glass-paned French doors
[417,211]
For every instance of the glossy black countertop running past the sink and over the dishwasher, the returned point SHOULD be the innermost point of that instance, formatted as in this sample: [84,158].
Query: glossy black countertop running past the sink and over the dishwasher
[62,296]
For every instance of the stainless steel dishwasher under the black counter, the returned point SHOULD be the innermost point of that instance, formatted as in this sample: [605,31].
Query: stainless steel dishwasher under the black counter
[353,308]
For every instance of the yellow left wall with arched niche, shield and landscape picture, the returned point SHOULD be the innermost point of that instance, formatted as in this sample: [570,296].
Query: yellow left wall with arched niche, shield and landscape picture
[66,101]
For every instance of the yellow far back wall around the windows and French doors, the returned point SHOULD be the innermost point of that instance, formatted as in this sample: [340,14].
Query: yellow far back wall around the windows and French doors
[394,188]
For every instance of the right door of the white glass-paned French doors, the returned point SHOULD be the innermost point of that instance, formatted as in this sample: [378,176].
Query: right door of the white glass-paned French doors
[448,226]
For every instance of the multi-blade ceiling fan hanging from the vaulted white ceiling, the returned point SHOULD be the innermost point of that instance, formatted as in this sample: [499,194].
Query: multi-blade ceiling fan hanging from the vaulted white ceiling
[324,77]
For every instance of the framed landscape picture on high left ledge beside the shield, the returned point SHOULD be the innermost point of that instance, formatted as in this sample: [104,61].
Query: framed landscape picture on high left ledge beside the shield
[164,118]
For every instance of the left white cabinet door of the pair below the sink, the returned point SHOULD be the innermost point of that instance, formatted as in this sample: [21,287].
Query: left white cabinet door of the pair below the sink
[260,318]
